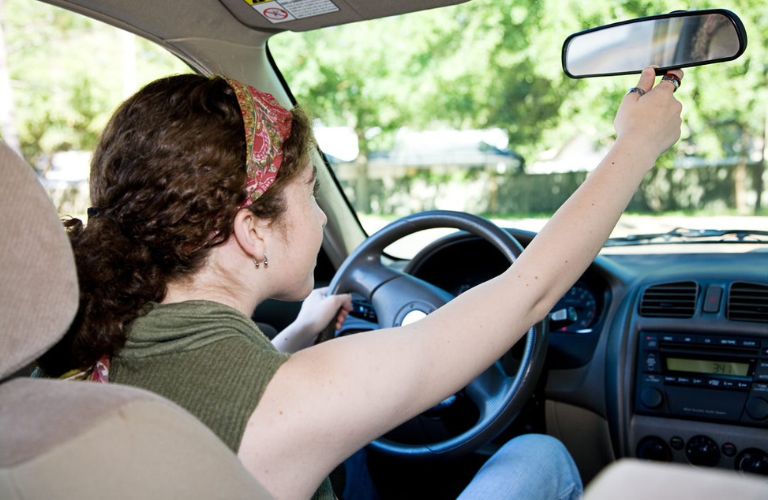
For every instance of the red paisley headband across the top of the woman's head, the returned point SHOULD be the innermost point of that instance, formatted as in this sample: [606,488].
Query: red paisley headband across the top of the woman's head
[267,127]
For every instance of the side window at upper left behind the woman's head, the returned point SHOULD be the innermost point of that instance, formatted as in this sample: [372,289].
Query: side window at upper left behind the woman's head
[62,75]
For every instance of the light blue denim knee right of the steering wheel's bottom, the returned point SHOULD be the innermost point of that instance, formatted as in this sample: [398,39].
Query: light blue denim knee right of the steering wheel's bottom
[528,467]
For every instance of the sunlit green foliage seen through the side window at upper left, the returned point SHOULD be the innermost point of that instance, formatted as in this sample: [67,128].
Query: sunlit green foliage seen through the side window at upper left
[61,67]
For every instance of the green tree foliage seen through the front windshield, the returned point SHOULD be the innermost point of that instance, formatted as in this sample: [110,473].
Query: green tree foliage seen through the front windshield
[497,64]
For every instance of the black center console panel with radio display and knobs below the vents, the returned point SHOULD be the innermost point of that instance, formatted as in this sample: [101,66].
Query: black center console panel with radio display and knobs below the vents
[702,399]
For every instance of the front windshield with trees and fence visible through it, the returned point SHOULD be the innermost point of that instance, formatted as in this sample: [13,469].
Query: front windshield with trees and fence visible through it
[467,108]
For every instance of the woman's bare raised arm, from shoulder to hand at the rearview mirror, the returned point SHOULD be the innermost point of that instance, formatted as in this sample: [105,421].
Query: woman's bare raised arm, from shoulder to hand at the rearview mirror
[329,400]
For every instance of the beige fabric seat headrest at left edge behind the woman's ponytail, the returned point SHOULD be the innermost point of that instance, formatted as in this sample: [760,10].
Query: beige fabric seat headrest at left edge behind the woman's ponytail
[38,293]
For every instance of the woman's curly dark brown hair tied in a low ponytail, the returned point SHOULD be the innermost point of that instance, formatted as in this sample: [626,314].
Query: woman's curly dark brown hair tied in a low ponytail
[167,179]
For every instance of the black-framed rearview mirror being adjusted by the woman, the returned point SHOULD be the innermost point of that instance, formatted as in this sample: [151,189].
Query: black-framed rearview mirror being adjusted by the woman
[675,40]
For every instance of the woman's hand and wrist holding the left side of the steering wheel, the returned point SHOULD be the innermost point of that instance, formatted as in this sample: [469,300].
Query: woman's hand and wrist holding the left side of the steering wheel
[317,311]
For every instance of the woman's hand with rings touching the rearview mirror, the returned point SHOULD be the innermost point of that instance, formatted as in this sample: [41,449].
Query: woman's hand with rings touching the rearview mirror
[650,117]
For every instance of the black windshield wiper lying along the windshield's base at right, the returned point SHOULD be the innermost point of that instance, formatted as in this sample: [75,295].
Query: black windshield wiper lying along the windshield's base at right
[687,235]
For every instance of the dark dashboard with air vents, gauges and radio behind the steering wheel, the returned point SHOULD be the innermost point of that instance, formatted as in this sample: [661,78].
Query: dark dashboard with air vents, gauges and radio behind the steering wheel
[657,355]
